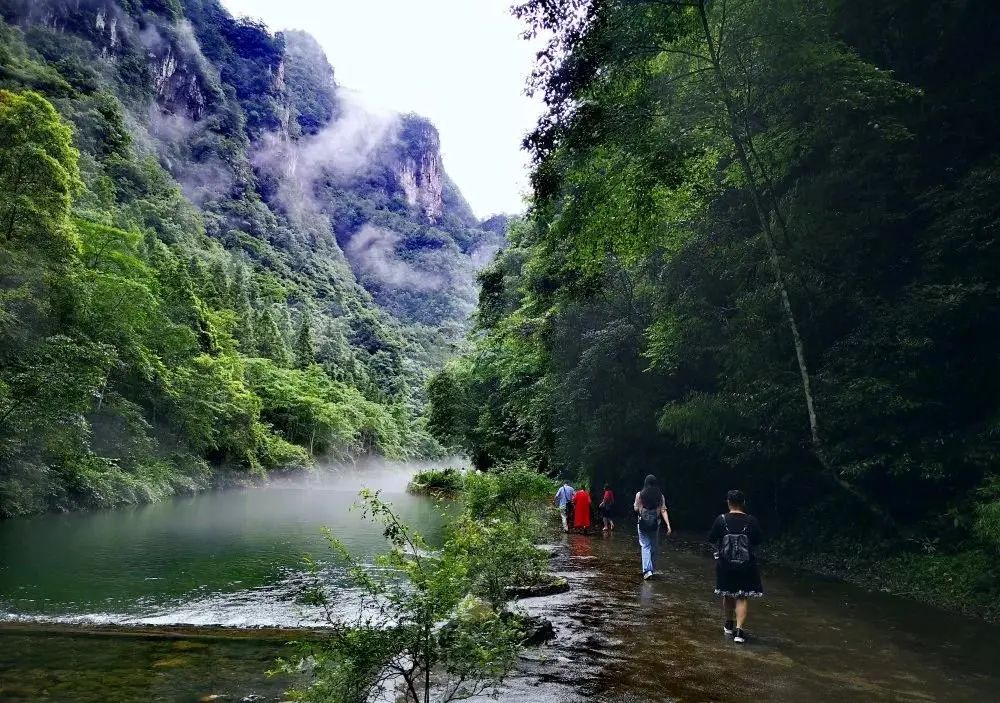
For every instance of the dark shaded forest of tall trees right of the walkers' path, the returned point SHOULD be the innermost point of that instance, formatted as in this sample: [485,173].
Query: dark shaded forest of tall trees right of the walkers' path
[762,253]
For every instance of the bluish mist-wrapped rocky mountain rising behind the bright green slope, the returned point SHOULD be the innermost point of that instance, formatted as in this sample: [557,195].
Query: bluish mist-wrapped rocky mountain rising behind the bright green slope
[258,134]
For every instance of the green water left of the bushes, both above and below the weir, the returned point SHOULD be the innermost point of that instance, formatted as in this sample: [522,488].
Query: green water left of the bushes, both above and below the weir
[124,606]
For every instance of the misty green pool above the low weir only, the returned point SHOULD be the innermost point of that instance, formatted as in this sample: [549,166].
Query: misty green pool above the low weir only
[231,558]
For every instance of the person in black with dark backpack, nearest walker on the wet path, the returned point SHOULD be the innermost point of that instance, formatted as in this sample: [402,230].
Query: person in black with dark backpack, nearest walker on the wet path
[735,536]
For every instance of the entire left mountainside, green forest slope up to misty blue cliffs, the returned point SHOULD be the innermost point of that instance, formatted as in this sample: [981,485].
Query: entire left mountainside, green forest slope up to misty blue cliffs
[214,261]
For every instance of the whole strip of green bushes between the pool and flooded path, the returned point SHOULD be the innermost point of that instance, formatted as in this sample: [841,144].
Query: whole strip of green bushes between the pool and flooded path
[433,622]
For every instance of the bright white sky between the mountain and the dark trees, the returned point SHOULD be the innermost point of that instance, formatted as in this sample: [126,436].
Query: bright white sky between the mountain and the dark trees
[462,63]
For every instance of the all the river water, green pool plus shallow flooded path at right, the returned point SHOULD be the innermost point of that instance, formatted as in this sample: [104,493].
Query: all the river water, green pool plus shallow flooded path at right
[192,598]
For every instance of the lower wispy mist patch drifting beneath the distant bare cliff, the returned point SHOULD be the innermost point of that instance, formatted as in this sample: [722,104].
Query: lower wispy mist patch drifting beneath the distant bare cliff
[373,252]
